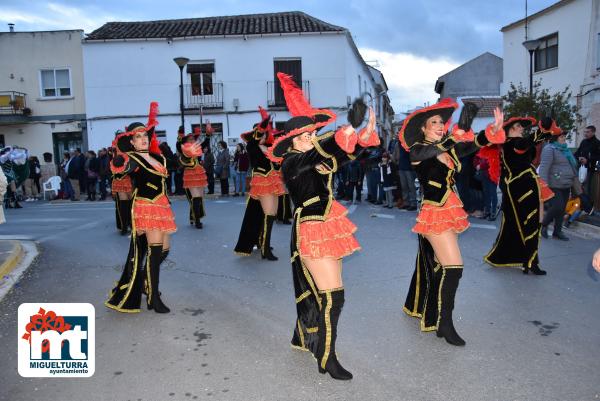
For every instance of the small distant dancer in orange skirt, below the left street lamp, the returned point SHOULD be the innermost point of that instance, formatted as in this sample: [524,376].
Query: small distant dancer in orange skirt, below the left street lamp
[194,175]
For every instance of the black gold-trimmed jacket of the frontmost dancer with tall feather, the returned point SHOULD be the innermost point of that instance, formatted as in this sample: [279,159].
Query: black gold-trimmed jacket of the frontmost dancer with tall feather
[308,176]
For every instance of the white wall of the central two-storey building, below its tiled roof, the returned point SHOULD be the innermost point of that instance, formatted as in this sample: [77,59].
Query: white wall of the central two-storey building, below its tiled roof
[122,78]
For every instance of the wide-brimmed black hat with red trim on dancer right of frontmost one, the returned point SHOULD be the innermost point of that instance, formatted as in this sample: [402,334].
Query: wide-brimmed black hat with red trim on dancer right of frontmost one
[411,133]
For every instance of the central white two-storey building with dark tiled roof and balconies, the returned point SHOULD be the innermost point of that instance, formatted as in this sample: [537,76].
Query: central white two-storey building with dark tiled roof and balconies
[231,71]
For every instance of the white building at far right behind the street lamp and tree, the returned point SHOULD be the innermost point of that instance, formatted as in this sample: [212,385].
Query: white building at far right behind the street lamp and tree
[568,53]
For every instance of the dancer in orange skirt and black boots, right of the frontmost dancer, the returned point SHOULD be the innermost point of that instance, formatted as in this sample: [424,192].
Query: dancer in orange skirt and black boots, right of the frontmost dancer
[435,154]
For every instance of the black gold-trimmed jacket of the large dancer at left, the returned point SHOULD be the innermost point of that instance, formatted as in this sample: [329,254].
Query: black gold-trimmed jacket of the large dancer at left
[148,183]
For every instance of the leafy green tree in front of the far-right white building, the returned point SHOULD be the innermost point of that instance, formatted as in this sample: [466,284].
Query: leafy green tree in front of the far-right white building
[517,102]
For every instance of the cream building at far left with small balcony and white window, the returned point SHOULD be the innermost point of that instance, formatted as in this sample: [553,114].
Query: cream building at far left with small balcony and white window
[42,103]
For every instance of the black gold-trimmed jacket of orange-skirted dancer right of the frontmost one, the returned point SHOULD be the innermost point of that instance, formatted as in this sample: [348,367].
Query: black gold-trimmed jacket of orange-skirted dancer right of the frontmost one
[435,177]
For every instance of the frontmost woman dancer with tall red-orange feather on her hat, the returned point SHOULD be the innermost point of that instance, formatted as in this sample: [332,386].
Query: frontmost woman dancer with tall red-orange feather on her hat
[322,234]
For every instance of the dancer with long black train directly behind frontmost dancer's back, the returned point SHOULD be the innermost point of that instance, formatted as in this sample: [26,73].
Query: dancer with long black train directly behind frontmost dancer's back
[266,186]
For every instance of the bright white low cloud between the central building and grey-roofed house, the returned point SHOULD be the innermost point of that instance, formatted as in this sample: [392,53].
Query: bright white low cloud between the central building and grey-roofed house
[410,78]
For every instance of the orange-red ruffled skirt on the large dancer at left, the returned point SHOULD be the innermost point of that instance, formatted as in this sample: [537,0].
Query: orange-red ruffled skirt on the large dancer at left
[156,215]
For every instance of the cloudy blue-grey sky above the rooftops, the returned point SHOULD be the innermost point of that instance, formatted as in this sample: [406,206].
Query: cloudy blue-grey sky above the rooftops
[413,42]
